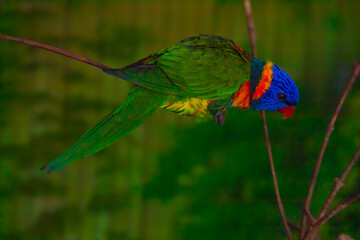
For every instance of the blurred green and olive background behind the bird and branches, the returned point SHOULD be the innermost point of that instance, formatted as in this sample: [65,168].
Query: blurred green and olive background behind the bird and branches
[174,177]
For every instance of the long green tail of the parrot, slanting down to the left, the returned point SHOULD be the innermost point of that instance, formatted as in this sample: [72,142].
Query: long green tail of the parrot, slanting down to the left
[139,105]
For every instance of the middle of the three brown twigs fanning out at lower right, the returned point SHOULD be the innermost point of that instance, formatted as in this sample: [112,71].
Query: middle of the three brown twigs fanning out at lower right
[339,183]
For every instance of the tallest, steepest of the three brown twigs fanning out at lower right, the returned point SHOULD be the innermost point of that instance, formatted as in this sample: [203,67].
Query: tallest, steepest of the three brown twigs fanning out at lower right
[330,128]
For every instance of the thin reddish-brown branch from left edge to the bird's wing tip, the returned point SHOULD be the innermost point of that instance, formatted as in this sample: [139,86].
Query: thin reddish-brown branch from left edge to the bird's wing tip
[54,50]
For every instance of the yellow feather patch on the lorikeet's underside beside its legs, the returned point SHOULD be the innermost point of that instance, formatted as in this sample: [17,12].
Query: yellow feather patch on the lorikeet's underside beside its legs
[189,107]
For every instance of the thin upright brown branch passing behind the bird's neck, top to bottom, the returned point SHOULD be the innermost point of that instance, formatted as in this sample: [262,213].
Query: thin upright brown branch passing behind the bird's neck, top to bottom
[252,36]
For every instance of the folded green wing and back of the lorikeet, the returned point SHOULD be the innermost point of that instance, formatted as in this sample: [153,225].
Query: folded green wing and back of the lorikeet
[207,67]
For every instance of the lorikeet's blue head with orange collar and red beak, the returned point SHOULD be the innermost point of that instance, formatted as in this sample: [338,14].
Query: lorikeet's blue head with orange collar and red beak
[272,89]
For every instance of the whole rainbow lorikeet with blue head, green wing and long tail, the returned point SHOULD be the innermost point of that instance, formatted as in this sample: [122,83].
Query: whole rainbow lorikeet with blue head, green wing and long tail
[201,76]
